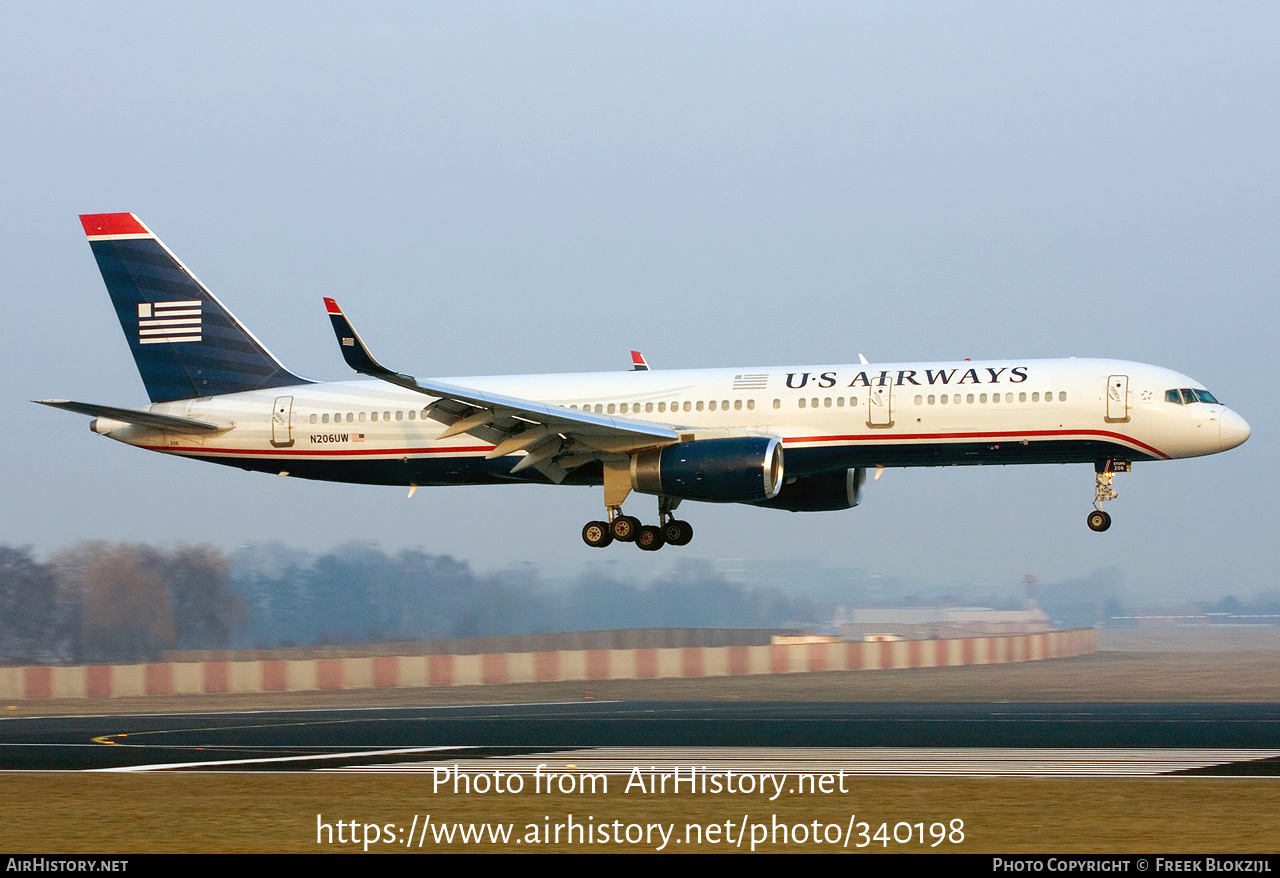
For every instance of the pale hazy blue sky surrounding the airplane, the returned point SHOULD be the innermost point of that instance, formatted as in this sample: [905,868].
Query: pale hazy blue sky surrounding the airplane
[504,189]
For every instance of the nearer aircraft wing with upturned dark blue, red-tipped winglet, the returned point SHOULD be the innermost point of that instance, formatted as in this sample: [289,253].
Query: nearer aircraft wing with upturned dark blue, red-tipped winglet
[556,440]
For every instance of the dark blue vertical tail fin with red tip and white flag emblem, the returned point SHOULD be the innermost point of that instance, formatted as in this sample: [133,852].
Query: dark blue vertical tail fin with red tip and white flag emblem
[185,342]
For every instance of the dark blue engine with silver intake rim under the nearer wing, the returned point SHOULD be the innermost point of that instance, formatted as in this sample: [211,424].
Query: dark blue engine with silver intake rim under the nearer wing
[735,470]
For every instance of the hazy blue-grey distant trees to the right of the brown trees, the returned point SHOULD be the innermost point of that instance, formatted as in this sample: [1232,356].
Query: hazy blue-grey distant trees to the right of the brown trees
[360,595]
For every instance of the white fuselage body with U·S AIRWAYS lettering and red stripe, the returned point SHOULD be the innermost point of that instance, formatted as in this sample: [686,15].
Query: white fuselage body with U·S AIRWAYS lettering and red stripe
[1017,411]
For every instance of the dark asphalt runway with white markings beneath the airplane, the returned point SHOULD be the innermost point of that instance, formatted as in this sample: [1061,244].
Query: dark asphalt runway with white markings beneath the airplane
[1104,739]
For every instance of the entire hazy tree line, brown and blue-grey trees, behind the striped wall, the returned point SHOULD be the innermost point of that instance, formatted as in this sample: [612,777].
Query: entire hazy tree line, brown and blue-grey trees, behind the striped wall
[99,602]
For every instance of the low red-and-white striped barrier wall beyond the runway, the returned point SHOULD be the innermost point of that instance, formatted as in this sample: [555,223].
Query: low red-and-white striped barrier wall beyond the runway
[587,665]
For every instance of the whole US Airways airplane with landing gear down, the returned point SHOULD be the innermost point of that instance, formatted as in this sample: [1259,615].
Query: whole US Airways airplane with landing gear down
[796,438]
